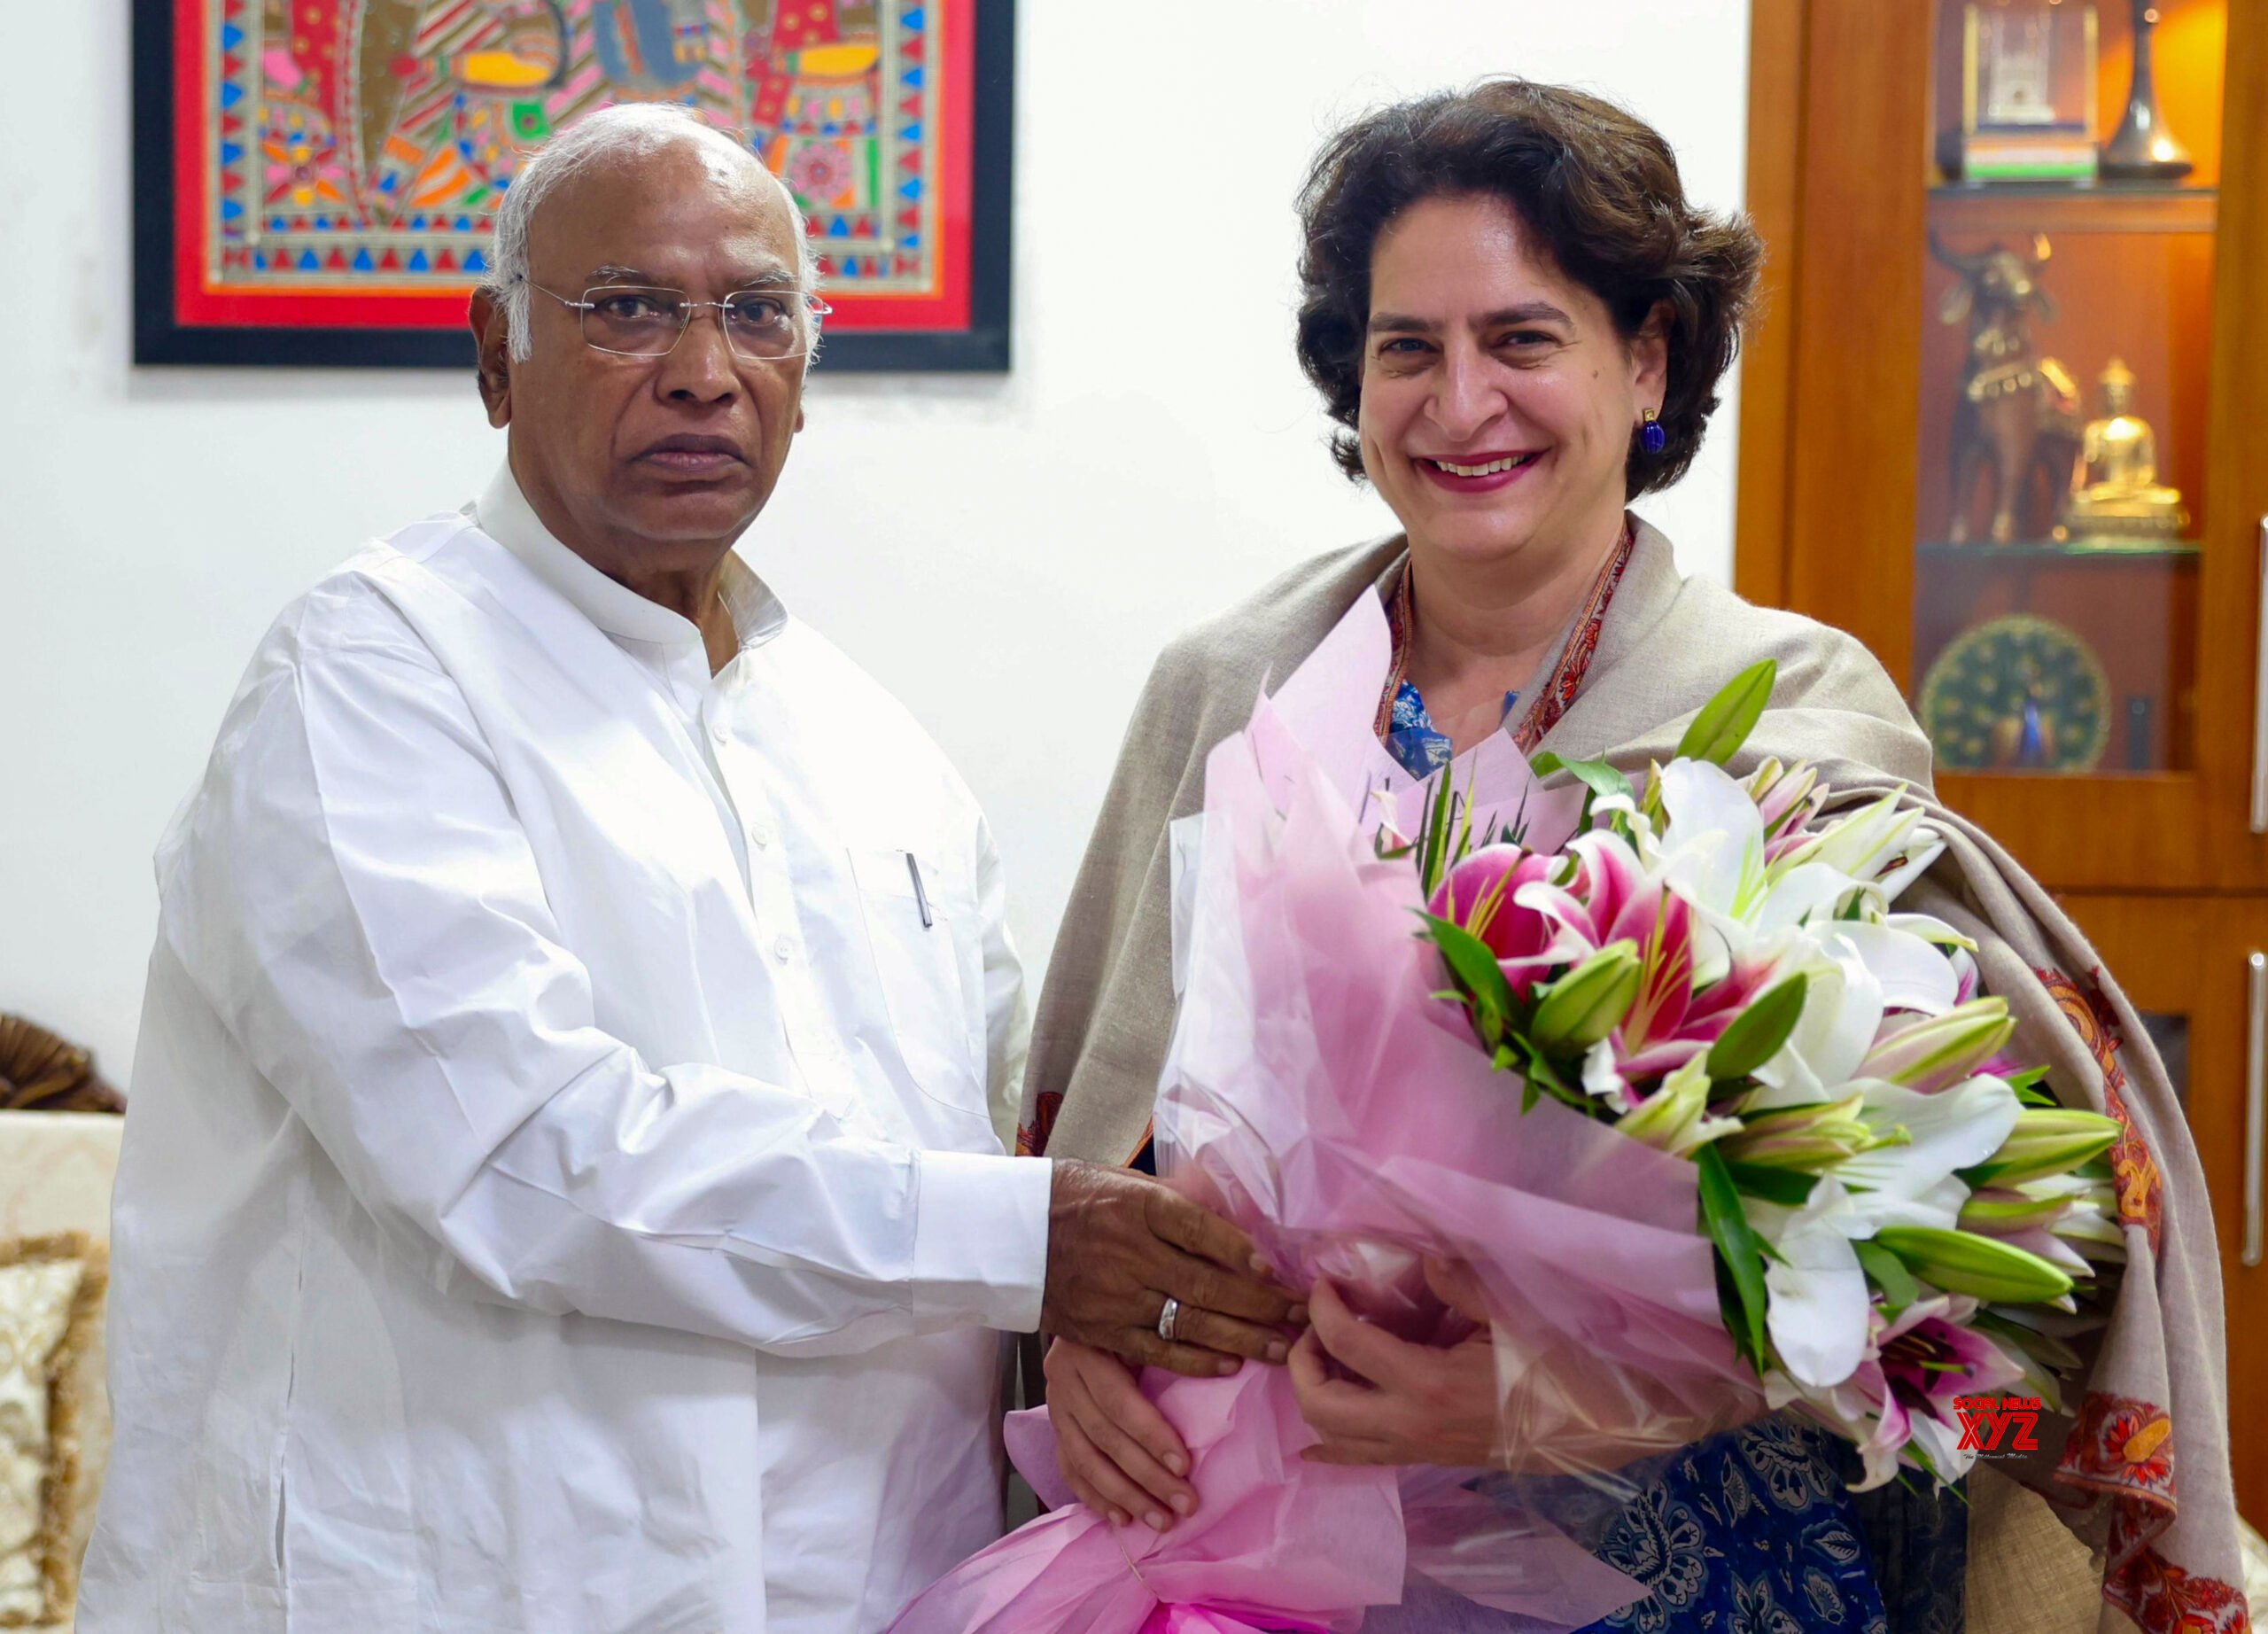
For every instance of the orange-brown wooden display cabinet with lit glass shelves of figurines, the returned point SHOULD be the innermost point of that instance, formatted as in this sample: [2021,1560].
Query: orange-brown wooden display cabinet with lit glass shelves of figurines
[2094,673]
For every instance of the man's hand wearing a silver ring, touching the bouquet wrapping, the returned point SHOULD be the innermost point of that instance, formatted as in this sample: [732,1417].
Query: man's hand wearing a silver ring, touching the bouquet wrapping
[1122,1245]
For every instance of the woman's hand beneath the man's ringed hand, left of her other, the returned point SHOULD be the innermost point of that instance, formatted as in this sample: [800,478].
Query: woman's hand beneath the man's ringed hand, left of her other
[1112,1445]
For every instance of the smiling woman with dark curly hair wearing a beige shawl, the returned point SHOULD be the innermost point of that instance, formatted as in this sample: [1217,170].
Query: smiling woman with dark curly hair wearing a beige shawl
[1518,323]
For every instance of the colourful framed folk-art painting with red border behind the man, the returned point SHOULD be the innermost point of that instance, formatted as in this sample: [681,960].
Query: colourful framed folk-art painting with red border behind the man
[314,180]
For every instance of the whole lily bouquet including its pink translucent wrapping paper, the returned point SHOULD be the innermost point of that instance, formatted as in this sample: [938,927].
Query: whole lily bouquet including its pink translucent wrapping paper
[1752,1145]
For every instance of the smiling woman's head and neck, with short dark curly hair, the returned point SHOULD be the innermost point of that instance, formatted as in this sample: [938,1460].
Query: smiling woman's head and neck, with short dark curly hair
[1518,326]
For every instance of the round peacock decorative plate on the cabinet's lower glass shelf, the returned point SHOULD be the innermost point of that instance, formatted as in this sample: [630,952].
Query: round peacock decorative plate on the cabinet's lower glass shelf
[2017,693]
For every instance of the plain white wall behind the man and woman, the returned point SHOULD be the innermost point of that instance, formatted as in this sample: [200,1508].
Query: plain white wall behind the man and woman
[1006,555]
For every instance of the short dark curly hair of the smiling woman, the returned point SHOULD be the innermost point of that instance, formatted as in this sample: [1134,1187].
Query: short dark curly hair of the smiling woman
[1596,185]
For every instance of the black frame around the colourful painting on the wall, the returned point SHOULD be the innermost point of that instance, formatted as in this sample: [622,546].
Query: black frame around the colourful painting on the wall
[162,342]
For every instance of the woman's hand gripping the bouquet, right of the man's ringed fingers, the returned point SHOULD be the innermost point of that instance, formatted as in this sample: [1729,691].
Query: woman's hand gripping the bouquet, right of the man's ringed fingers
[1410,1404]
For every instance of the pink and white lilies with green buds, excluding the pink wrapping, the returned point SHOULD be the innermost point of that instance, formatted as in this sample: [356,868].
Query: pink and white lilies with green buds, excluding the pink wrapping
[1718,968]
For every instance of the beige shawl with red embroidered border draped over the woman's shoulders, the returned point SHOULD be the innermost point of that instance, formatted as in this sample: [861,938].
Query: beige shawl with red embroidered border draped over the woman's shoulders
[2156,1395]
